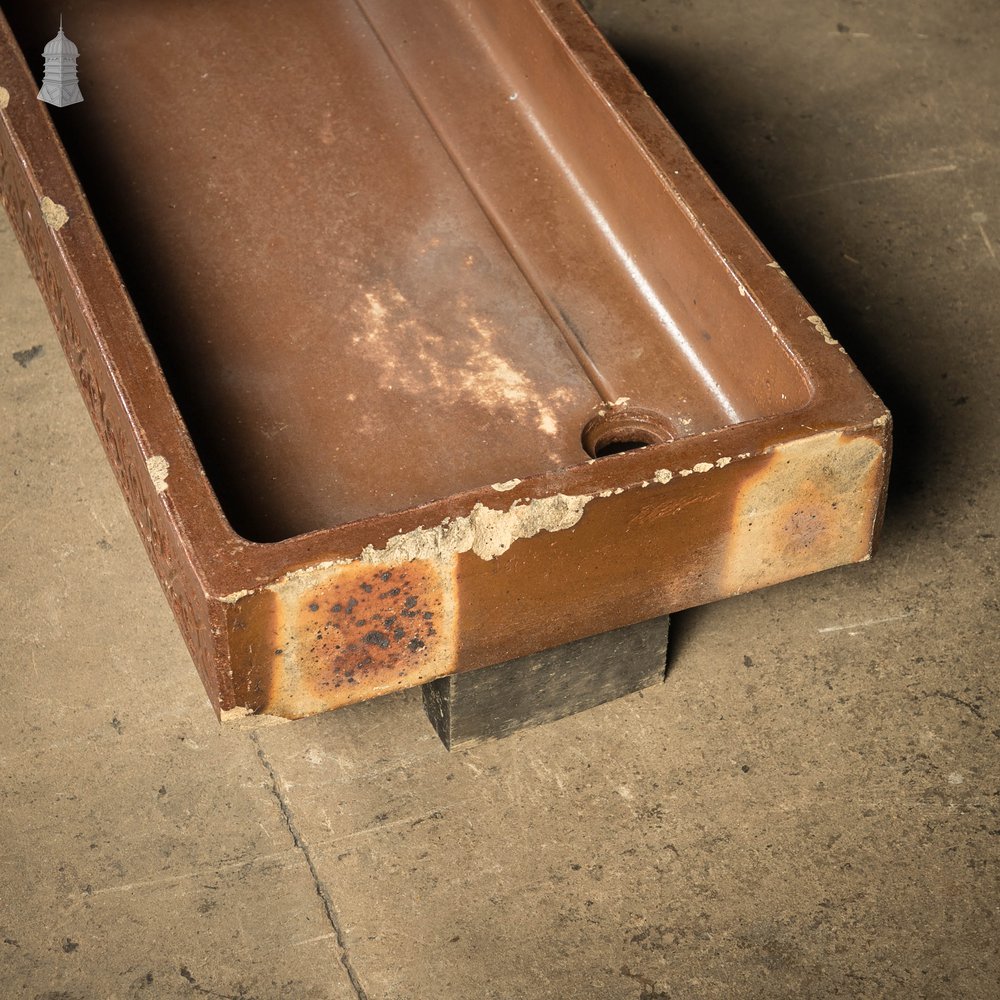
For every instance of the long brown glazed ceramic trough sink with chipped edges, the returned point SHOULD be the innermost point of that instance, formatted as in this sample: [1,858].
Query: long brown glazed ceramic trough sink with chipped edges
[417,338]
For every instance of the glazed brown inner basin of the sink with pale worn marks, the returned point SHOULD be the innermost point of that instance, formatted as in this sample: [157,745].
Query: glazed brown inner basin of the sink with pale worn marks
[366,296]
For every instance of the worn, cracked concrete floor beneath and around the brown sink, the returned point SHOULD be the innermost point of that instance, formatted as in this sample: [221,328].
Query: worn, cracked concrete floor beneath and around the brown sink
[807,808]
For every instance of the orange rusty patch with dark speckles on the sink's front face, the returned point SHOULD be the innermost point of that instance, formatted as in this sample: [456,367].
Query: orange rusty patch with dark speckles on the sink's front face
[358,631]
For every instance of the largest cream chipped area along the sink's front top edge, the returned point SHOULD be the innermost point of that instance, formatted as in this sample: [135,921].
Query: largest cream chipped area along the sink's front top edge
[486,532]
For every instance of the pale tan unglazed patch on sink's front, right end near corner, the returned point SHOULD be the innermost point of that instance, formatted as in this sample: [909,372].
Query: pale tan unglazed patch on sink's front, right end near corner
[810,508]
